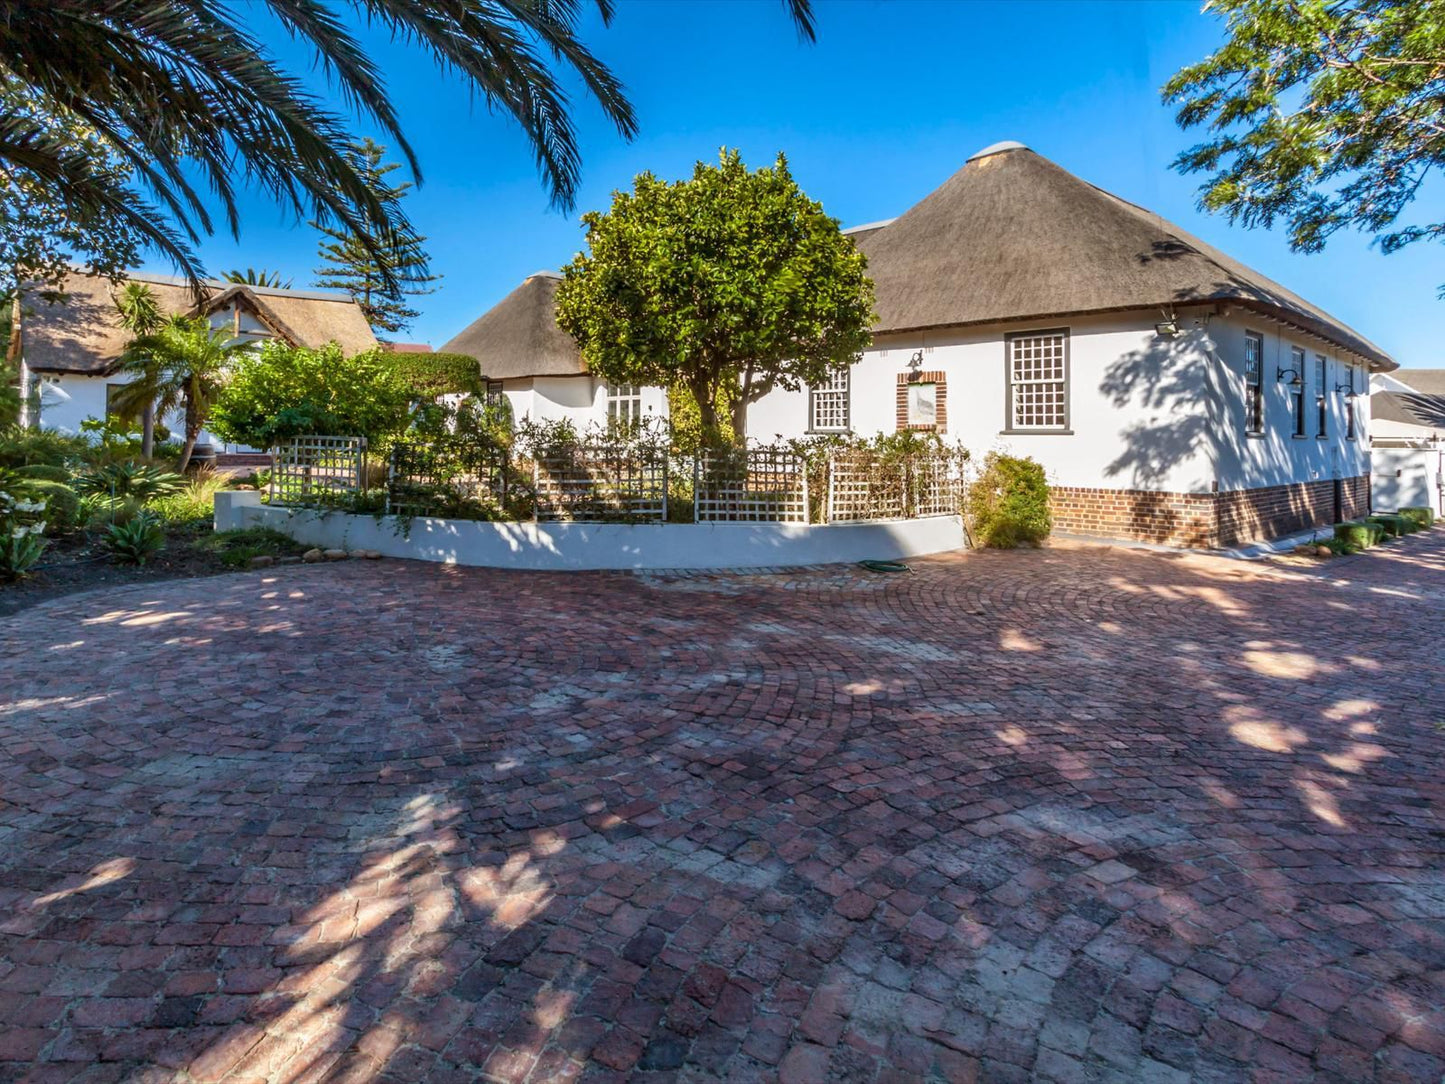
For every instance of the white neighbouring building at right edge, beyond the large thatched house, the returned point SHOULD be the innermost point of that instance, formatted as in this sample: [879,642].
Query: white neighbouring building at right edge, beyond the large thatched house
[1408,439]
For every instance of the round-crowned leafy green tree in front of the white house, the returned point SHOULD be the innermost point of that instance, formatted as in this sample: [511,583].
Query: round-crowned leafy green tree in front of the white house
[730,284]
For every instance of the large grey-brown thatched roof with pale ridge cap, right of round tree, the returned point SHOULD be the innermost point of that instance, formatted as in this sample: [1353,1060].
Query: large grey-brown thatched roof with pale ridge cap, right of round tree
[1014,236]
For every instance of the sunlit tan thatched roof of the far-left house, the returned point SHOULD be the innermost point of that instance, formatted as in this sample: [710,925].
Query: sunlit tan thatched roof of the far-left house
[83,335]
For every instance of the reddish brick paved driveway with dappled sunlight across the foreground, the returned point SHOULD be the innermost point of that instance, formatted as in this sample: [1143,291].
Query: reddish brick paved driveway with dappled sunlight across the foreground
[1077,814]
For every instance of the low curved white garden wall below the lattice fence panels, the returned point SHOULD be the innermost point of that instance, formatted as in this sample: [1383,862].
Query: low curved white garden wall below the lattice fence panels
[600,546]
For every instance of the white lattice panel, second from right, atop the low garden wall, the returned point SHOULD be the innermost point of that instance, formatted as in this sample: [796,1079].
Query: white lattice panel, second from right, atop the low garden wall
[755,486]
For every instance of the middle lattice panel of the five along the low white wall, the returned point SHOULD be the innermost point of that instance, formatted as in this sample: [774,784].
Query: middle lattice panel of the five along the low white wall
[593,483]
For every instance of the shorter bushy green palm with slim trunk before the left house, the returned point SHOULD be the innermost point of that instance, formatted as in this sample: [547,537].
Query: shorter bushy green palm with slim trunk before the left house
[184,365]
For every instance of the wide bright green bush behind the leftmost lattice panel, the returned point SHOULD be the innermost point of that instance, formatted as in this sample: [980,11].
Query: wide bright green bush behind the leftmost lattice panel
[281,392]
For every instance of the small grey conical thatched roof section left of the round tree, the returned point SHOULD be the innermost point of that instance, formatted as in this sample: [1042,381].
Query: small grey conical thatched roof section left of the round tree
[519,335]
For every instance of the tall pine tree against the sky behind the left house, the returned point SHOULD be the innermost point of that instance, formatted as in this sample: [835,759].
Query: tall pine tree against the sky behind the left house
[352,268]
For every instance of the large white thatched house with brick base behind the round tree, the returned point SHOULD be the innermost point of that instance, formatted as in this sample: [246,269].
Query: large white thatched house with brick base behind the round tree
[1173,394]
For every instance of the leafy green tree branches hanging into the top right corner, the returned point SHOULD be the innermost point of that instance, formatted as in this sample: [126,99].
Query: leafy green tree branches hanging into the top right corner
[1321,115]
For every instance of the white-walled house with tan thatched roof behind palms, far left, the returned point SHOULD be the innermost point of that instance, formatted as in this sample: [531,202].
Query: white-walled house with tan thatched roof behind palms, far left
[73,349]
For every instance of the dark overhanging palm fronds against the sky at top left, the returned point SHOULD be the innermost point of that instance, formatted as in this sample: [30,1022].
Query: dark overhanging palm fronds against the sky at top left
[184,92]
